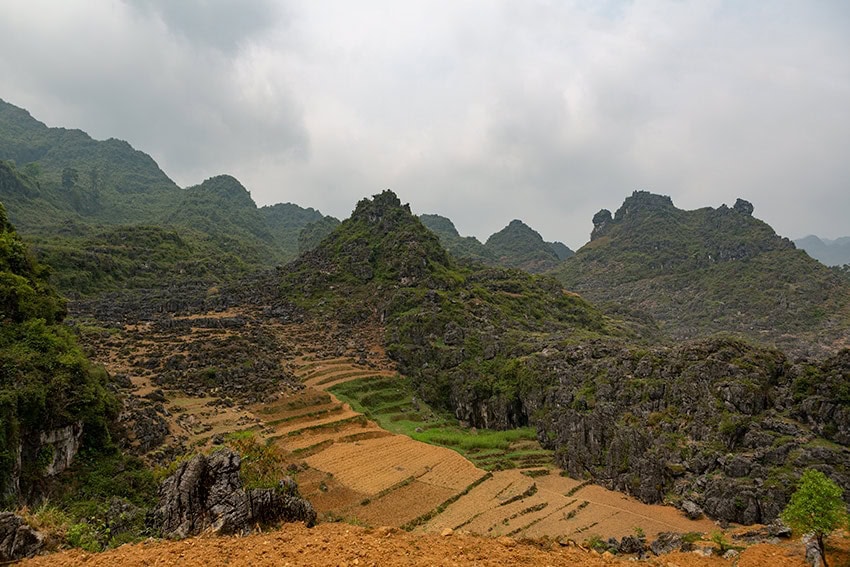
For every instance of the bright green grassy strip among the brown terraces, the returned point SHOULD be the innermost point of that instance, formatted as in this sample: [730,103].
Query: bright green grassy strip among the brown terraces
[392,404]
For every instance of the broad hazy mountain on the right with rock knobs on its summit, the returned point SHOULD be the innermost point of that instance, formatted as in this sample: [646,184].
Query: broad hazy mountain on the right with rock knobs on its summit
[708,271]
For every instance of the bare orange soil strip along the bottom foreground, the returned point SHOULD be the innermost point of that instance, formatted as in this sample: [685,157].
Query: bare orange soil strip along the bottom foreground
[345,545]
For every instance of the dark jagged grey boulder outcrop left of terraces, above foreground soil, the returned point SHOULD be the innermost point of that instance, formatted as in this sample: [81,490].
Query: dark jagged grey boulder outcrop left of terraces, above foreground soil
[206,493]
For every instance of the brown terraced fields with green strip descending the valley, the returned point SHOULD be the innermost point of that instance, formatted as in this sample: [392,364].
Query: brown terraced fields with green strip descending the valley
[366,450]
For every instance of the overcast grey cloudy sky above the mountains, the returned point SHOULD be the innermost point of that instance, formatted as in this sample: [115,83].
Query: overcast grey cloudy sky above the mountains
[479,110]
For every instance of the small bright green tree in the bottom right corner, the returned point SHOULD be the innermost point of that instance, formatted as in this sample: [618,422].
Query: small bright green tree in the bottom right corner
[816,507]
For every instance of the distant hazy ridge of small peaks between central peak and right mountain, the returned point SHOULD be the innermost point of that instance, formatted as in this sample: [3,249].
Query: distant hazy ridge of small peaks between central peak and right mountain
[515,246]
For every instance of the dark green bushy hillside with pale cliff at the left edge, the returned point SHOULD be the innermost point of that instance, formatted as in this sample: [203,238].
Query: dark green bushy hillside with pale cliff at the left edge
[52,400]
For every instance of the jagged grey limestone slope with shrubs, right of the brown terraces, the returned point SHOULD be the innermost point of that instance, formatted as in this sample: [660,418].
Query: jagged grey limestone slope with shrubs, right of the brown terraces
[717,422]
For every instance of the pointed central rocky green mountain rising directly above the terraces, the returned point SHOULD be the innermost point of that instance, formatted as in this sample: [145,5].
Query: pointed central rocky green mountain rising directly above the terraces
[458,332]
